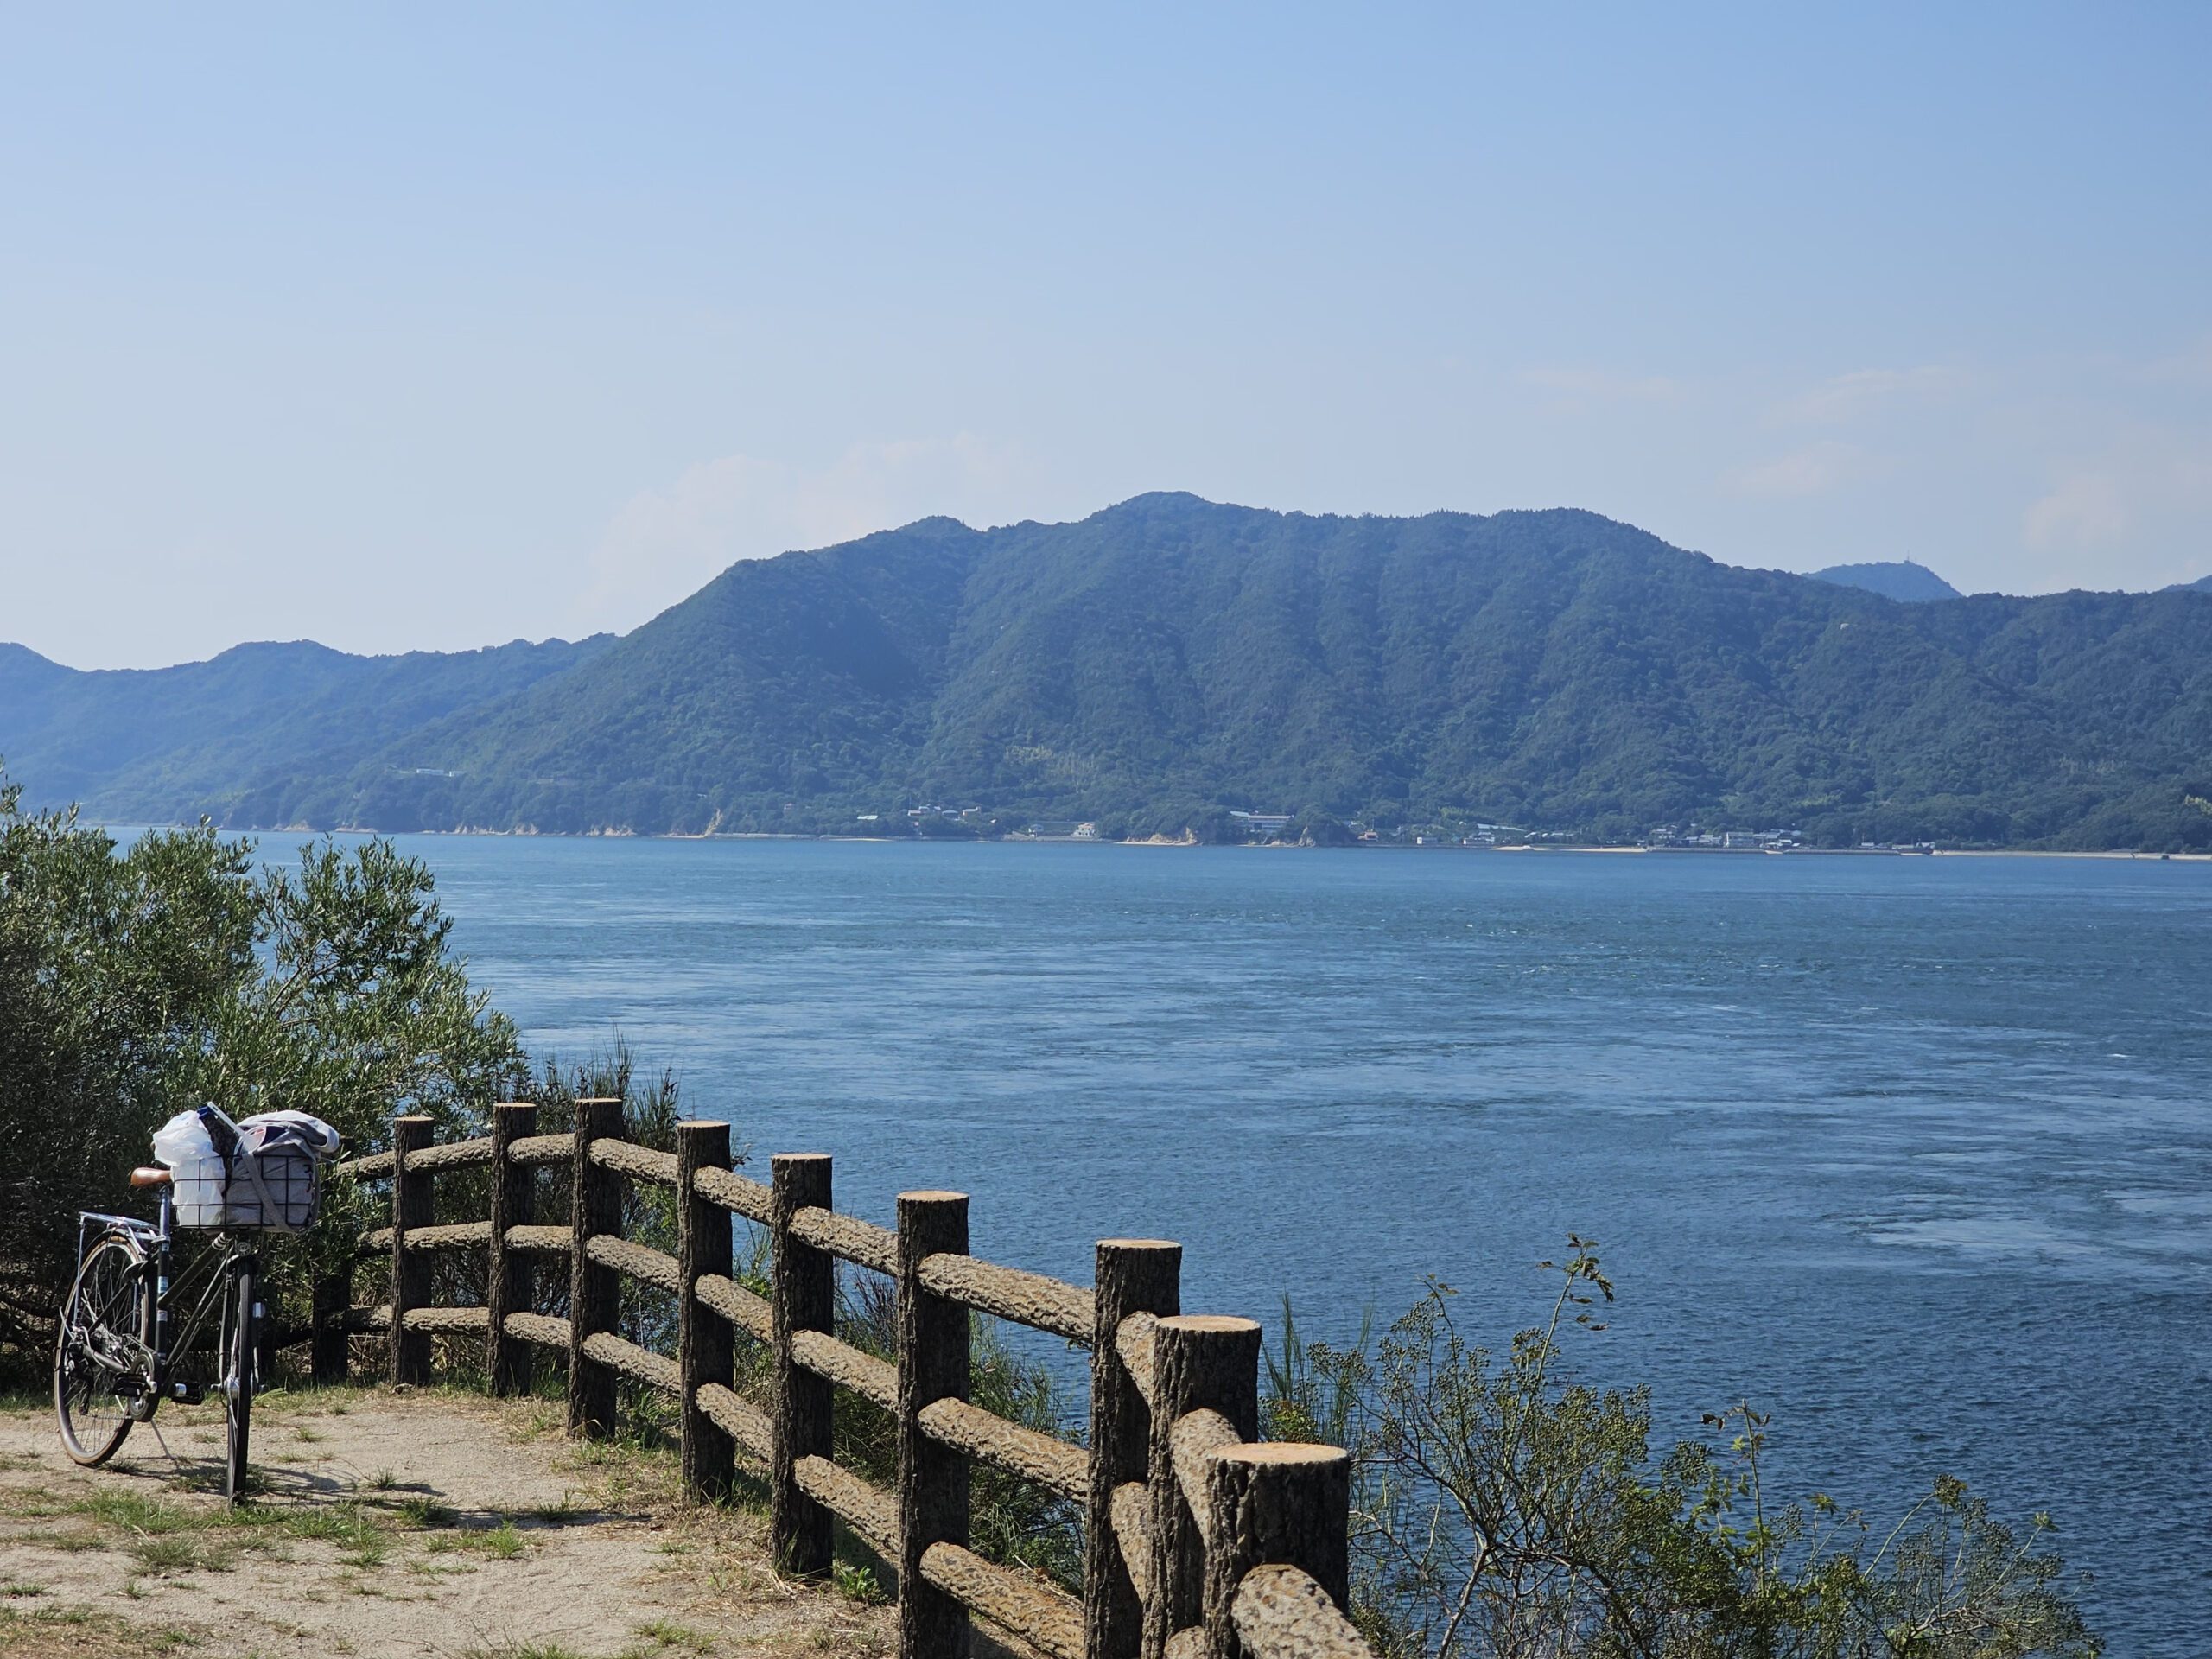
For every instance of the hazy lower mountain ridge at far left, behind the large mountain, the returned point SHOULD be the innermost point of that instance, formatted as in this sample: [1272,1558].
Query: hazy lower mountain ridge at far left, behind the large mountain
[244,727]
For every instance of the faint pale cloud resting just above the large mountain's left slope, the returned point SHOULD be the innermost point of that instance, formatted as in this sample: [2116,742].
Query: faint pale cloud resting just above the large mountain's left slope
[665,543]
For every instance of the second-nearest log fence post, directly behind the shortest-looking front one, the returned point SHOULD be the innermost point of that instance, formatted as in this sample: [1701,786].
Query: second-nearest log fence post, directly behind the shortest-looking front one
[1200,1364]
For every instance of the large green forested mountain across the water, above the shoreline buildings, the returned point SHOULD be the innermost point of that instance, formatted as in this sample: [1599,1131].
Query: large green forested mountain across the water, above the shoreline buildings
[1169,660]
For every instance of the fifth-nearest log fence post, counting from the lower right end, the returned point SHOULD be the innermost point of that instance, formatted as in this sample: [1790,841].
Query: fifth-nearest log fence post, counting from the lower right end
[804,1302]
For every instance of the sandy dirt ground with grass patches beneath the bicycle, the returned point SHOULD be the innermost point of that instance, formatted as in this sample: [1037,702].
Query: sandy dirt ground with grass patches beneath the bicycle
[432,1525]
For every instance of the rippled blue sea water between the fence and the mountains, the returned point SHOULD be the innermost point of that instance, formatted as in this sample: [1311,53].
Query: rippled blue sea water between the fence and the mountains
[1914,1154]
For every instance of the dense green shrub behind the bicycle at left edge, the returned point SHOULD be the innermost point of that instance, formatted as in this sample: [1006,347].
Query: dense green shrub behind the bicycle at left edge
[143,981]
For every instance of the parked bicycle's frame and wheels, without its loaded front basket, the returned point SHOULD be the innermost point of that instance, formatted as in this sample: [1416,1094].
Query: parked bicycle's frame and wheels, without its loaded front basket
[121,1353]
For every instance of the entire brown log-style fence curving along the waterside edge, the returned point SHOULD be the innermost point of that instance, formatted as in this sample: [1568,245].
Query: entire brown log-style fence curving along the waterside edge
[1200,1541]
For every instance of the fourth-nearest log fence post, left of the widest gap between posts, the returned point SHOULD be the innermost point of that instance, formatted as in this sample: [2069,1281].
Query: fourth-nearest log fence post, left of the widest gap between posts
[932,1479]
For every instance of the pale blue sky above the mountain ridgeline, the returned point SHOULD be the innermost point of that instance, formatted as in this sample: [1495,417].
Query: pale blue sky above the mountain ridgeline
[426,326]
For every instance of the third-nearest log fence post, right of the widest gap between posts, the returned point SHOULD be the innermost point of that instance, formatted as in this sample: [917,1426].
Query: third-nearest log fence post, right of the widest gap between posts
[1134,1277]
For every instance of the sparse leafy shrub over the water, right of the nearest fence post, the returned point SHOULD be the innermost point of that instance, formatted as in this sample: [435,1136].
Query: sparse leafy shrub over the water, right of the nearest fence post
[1505,1510]
